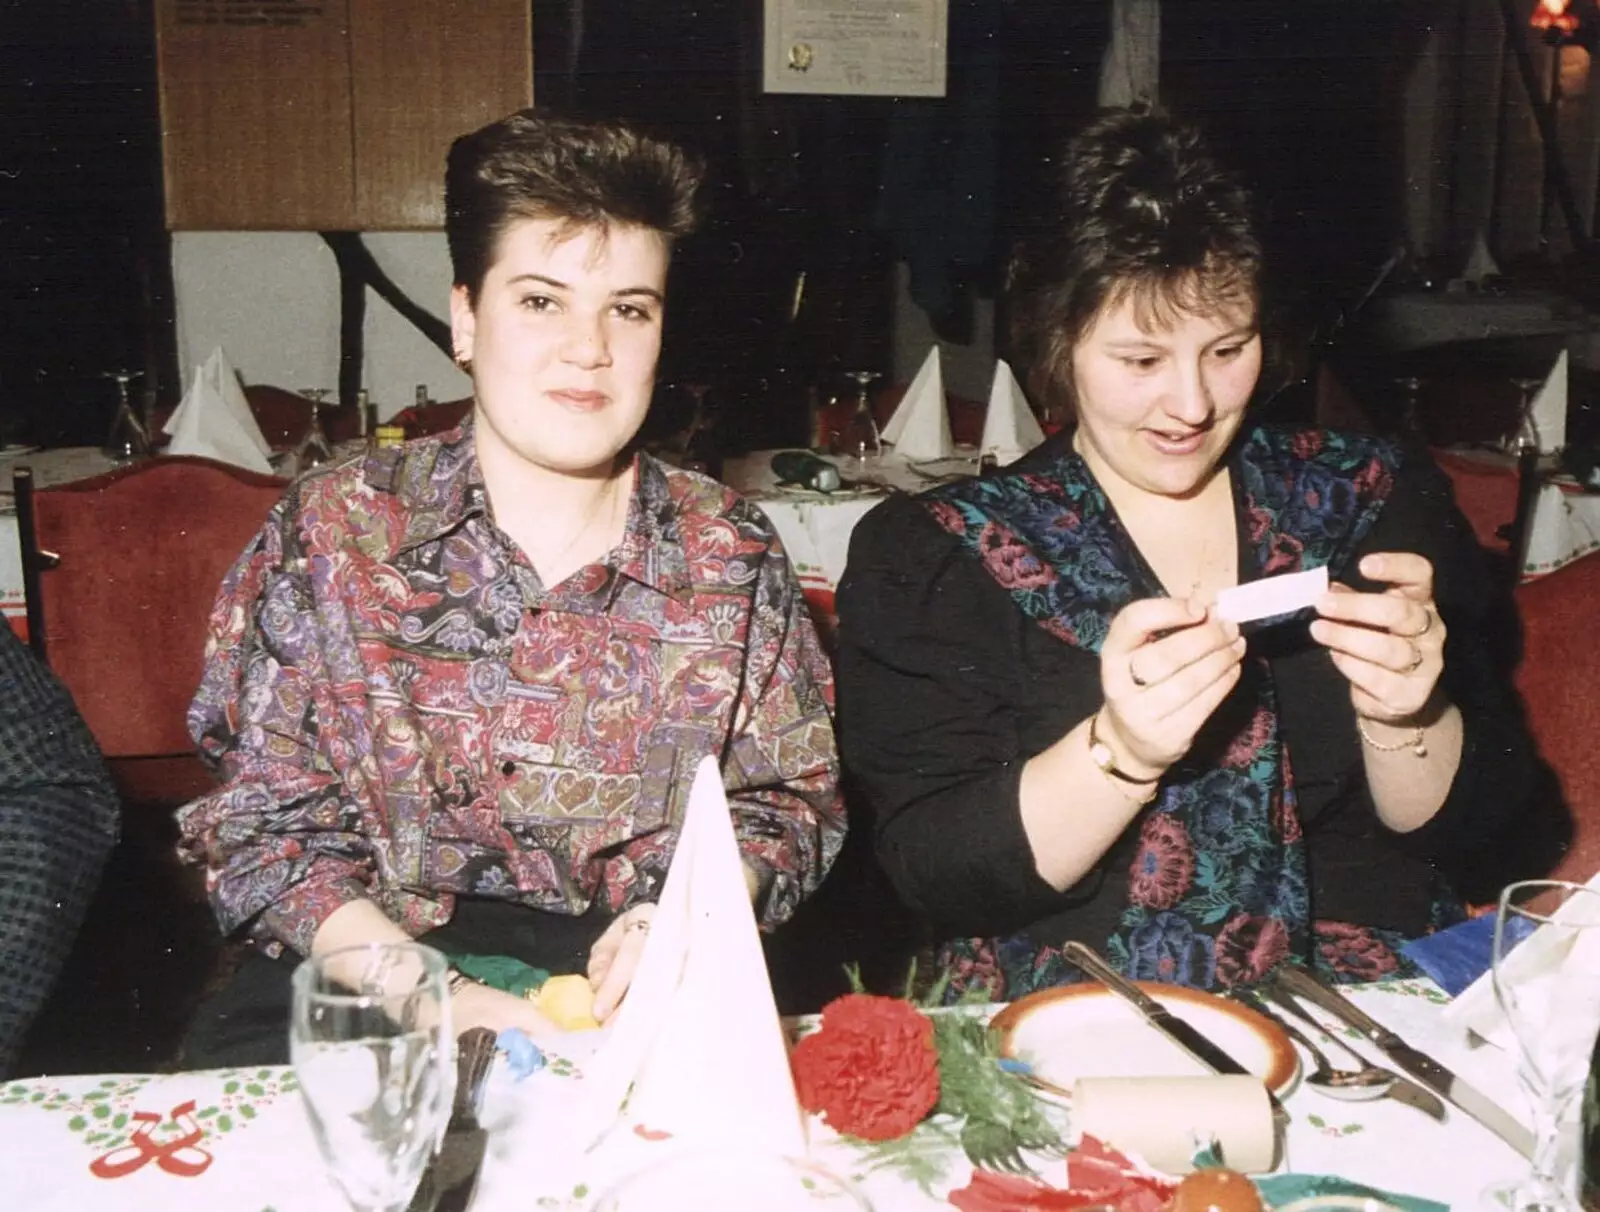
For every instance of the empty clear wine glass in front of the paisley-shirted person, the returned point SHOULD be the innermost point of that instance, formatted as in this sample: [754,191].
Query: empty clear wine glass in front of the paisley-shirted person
[372,1047]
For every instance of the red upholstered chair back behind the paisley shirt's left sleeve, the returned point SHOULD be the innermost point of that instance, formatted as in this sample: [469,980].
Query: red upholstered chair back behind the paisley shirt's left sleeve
[121,573]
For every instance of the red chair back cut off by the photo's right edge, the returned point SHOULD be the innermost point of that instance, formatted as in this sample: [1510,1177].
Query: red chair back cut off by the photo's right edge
[1559,679]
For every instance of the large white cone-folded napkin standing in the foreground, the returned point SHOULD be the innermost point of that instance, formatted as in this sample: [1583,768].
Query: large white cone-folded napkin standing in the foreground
[697,1048]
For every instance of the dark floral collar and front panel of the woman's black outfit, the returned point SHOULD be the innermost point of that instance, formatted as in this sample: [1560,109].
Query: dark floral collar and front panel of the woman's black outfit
[1218,887]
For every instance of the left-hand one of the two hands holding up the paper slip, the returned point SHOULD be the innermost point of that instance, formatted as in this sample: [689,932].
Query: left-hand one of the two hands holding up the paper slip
[1166,668]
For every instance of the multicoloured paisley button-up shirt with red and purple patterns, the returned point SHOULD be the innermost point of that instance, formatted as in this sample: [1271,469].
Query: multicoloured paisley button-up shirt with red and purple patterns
[401,711]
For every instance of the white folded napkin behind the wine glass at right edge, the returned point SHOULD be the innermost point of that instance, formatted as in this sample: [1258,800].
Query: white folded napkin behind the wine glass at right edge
[1546,962]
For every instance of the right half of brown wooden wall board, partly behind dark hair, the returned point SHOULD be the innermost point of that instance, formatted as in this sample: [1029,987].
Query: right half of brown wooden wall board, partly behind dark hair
[428,71]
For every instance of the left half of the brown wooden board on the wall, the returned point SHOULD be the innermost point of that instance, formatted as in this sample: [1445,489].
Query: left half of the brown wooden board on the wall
[255,114]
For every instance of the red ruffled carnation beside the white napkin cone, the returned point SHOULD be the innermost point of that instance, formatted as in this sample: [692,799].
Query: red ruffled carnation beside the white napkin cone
[871,1070]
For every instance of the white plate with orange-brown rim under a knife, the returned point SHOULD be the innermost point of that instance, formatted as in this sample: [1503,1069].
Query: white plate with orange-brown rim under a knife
[1089,1032]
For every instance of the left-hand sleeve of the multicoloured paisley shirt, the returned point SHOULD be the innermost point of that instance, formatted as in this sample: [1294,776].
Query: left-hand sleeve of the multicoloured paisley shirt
[282,840]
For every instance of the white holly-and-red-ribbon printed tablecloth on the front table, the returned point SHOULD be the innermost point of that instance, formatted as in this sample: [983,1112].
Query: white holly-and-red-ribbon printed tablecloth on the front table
[66,1141]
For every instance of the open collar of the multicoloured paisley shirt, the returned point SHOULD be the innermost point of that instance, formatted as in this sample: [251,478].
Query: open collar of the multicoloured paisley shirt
[441,487]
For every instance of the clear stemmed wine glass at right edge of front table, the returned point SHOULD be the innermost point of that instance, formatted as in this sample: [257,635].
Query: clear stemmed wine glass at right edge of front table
[1550,994]
